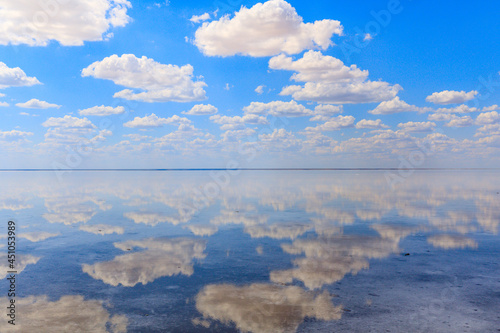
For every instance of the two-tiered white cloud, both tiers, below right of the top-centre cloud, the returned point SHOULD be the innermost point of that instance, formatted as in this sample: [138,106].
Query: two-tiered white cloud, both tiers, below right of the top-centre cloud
[329,81]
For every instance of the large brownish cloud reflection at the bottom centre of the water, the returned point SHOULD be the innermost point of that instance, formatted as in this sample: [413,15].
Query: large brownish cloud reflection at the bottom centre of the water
[263,307]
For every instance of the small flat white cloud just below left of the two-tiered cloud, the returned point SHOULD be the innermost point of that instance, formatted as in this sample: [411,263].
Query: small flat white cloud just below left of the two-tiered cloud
[278,109]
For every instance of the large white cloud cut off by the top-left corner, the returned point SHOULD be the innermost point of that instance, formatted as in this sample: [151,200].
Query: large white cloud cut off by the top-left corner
[69,22]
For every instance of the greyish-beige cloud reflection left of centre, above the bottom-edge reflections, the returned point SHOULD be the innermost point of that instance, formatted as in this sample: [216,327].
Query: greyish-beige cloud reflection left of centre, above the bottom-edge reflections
[161,257]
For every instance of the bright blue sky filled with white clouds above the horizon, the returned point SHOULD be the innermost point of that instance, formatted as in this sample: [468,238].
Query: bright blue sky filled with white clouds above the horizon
[129,84]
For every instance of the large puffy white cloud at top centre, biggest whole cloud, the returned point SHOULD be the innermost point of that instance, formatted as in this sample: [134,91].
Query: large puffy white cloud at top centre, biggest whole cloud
[266,29]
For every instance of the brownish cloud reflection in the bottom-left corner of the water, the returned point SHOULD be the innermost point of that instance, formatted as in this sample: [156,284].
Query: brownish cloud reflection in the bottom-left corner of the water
[68,314]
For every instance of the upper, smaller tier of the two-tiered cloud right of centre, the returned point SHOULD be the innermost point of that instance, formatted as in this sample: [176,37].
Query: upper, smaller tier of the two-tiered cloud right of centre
[315,67]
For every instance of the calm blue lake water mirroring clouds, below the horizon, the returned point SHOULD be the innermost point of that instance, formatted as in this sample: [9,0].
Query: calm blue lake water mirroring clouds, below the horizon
[252,251]
